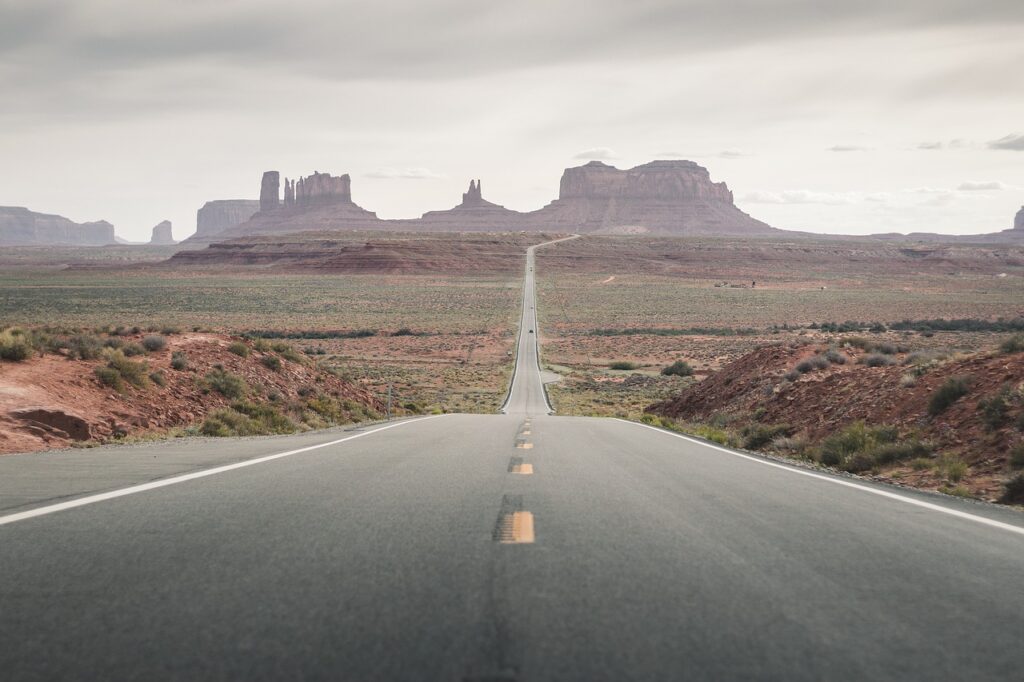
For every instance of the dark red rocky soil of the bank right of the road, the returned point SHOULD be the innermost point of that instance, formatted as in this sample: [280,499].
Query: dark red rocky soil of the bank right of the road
[824,402]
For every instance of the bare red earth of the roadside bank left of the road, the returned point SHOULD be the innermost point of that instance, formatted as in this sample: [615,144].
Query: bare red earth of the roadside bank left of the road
[52,401]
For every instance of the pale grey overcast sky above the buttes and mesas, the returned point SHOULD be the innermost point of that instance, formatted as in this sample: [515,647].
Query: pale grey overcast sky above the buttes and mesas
[822,115]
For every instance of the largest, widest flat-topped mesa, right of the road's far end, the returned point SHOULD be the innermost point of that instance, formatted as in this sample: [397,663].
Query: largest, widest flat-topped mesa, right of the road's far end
[662,197]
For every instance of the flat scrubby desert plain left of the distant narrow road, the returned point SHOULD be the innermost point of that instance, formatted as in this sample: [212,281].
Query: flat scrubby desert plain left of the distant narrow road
[452,352]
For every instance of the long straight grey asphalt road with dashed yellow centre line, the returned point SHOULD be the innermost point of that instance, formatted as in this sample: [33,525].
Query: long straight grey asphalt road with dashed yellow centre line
[520,546]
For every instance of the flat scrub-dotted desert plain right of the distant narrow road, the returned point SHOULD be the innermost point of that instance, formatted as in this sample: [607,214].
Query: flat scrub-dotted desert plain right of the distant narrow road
[652,303]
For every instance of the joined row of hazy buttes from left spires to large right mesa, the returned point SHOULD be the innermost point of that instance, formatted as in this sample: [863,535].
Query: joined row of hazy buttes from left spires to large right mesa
[658,198]
